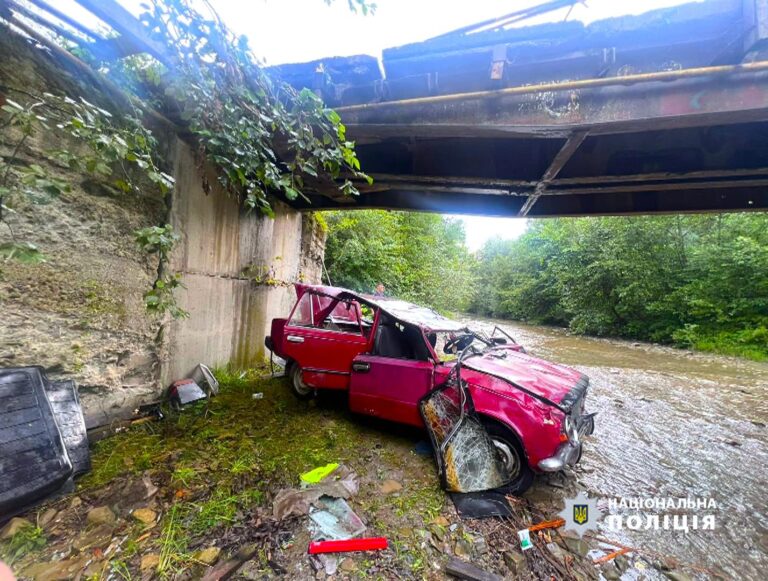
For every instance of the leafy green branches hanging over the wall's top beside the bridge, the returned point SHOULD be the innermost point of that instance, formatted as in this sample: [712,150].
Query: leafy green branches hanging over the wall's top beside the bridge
[263,135]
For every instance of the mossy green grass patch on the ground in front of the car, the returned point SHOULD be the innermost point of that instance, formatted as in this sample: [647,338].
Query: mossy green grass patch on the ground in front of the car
[223,458]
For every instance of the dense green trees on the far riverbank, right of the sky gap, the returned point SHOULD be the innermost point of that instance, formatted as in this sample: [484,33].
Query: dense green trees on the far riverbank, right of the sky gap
[695,281]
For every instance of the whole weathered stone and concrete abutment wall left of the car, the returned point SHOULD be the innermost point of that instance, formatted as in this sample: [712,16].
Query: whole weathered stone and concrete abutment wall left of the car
[80,313]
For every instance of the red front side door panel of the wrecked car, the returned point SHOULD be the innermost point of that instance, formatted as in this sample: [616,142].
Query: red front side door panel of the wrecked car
[390,388]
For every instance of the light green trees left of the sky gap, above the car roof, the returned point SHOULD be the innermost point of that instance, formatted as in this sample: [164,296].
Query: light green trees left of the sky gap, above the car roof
[419,257]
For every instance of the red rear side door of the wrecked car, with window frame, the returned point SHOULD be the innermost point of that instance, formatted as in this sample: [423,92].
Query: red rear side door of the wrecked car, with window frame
[324,354]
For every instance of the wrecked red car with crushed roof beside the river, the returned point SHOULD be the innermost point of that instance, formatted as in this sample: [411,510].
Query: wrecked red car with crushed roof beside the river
[389,355]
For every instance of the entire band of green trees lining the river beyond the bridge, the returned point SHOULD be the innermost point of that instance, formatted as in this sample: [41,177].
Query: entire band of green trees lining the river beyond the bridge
[693,281]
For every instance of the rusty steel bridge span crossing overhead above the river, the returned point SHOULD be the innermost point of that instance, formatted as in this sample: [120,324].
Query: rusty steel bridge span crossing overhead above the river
[679,126]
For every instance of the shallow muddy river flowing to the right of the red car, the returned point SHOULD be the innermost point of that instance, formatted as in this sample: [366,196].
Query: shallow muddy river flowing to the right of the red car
[672,424]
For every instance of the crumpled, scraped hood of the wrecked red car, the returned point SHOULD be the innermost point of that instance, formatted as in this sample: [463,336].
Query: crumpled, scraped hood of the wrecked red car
[556,383]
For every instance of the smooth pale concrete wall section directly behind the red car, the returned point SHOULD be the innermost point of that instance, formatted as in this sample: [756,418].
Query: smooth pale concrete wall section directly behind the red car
[238,269]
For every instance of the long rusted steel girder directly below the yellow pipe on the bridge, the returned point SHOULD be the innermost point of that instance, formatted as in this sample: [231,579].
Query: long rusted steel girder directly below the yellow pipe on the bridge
[557,113]
